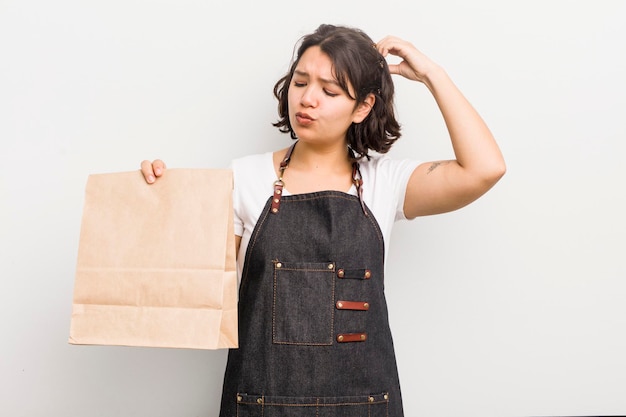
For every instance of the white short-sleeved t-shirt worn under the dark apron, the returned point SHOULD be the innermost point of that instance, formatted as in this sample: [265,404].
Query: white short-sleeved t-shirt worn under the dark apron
[384,186]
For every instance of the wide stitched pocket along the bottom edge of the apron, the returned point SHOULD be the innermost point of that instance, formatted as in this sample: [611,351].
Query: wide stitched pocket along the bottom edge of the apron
[375,405]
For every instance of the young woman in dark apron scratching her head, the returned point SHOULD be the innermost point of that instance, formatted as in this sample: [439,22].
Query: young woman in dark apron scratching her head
[312,222]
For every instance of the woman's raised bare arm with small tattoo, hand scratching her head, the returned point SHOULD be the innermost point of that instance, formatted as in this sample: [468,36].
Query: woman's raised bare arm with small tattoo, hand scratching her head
[441,186]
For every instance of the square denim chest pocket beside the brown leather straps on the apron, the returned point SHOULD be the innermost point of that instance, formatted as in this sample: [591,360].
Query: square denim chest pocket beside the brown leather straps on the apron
[304,302]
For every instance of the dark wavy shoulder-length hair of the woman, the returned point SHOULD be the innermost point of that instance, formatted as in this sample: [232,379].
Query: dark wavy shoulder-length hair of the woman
[358,63]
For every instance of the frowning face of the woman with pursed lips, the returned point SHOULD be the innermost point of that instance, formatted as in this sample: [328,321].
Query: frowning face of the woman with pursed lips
[319,110]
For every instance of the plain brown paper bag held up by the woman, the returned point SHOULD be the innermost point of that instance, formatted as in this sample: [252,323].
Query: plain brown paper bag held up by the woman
[156,263]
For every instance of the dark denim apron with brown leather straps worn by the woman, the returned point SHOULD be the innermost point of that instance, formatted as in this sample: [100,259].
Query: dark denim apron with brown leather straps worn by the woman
[313,327]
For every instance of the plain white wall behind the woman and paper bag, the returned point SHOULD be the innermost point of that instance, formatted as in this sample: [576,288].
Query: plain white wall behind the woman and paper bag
[513,306]
